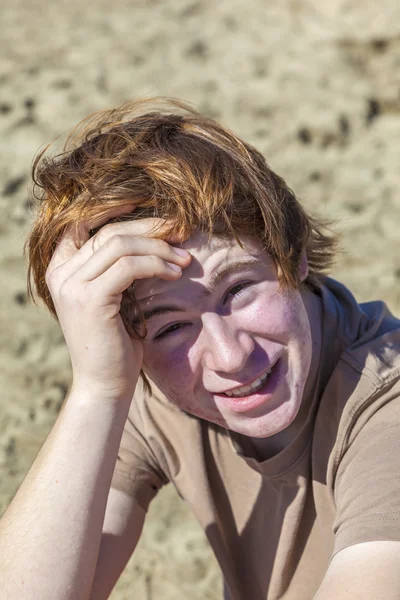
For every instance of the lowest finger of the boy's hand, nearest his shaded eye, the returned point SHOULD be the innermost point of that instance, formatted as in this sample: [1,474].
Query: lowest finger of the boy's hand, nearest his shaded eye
[127,269]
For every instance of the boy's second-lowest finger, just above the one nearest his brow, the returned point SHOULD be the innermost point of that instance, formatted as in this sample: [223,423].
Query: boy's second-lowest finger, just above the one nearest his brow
[119,246]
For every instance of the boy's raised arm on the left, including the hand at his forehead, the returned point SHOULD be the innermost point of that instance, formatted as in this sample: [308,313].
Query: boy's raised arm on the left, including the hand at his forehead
[50,536]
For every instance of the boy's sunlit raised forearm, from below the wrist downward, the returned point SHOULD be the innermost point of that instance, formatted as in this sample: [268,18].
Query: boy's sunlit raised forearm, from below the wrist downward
[50,535]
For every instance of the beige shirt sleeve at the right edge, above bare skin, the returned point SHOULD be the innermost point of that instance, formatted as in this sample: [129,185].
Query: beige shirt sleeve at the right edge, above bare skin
[367,483]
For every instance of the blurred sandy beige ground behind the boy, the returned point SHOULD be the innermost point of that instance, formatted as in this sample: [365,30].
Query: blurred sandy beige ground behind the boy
[314,85]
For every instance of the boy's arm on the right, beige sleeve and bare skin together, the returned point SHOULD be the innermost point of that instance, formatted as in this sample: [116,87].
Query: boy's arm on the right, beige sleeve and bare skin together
[366,560]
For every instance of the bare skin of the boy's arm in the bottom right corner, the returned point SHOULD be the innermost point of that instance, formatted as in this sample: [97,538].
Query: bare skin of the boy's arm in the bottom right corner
[365,571]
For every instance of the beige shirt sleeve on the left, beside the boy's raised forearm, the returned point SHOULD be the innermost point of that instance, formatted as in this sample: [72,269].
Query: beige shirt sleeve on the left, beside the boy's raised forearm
[137,471]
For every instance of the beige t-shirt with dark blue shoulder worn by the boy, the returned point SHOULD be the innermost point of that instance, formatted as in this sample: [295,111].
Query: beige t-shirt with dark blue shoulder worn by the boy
[275,525]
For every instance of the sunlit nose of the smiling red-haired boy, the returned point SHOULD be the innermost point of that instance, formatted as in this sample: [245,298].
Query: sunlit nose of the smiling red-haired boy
[226,347]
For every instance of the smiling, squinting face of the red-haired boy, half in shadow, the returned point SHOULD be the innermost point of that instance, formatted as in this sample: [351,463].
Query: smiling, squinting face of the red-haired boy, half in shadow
[224,342]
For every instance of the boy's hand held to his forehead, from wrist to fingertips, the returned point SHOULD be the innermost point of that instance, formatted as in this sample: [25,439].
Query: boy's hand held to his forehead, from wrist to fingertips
[86,284]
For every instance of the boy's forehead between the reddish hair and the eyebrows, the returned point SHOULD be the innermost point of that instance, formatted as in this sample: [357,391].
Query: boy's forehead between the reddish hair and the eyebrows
[208,255]
